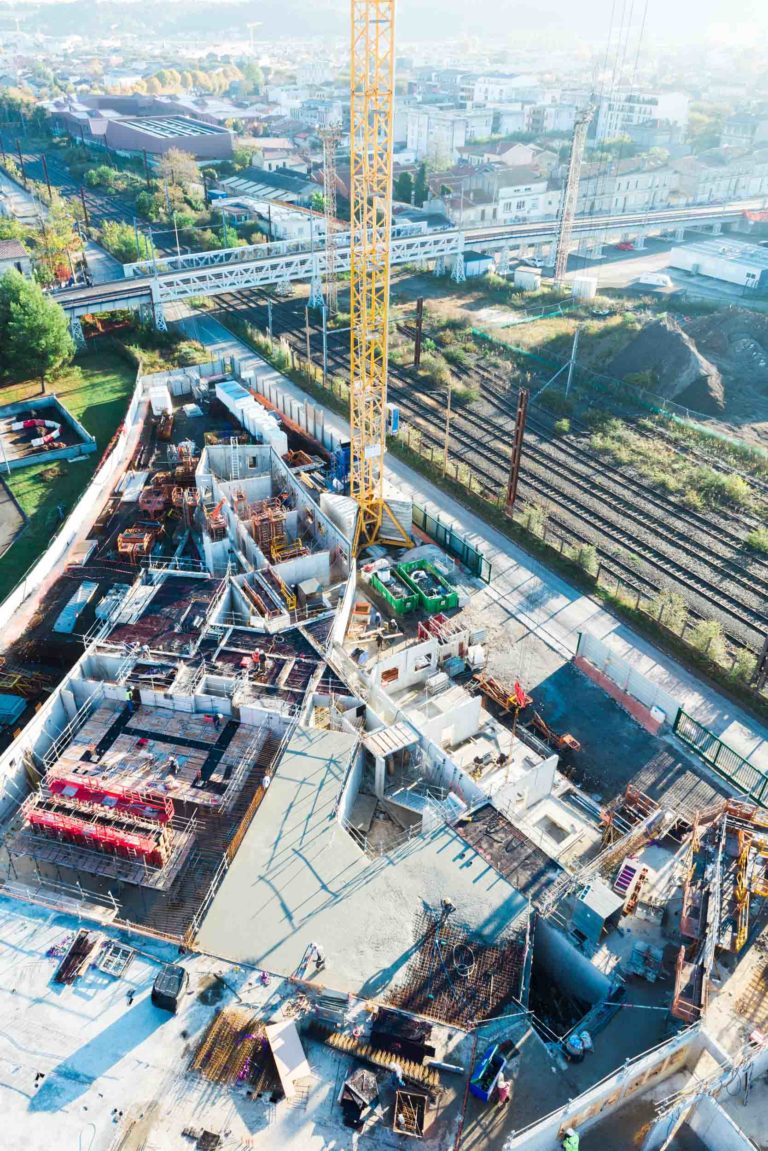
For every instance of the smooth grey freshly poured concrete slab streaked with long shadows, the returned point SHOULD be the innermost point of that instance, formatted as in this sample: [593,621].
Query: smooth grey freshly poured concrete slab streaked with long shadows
[300,879]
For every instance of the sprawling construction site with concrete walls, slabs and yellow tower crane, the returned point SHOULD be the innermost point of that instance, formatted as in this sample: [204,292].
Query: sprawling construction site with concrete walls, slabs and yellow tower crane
[292,856]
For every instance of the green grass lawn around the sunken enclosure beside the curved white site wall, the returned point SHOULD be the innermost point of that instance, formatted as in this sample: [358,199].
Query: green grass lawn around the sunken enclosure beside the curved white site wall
[96,390]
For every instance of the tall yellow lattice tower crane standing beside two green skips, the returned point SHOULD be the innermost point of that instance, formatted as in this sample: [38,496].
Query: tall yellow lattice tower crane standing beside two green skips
[372,90]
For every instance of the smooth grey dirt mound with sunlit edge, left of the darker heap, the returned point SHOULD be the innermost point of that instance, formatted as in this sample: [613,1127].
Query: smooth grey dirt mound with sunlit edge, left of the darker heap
[678,369]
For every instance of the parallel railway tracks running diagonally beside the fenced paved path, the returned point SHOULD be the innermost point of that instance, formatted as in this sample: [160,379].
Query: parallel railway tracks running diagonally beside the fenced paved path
[595,502]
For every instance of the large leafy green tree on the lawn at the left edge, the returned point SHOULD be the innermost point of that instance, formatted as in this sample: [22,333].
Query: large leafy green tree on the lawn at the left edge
[34,331]
